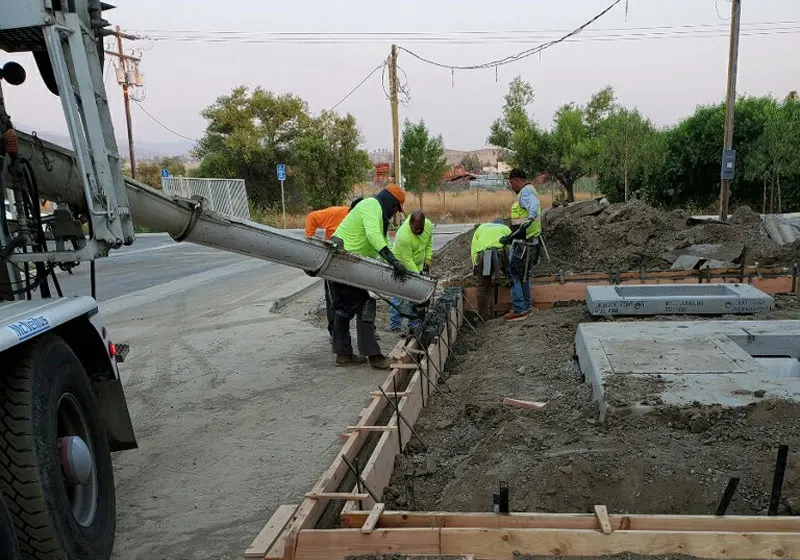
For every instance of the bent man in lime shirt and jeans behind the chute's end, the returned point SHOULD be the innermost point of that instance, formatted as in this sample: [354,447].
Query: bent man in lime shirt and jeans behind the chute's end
[413,246]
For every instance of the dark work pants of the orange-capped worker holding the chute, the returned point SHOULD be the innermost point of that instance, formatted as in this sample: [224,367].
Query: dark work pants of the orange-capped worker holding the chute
[349,302]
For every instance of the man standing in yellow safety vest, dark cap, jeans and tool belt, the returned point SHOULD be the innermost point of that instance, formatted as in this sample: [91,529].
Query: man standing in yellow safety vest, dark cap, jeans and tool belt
[526,221]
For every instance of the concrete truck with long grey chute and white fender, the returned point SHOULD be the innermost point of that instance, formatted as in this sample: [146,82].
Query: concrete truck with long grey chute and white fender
[62,405]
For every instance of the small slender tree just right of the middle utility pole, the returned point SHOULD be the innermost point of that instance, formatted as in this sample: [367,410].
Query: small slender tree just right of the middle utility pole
[422,159]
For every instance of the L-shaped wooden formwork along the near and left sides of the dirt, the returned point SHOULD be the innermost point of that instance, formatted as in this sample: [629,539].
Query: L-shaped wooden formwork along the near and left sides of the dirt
[368,528]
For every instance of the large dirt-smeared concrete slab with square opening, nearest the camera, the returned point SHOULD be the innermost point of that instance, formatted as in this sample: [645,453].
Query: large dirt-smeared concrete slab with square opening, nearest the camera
[636,366]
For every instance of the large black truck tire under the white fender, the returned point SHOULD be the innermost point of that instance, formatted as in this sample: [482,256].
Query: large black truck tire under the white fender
[46,397]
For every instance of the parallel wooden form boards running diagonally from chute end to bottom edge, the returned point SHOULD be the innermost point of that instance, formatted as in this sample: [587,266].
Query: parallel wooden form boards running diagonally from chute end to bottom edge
[379,467]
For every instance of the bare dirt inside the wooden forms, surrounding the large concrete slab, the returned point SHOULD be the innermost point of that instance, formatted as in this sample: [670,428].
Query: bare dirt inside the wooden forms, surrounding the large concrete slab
[561,459]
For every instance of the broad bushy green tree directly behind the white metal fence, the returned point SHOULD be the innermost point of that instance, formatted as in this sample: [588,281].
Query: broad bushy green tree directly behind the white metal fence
[247,135]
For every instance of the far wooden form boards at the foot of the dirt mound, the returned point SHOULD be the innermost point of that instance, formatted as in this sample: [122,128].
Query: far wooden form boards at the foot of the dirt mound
[546,290]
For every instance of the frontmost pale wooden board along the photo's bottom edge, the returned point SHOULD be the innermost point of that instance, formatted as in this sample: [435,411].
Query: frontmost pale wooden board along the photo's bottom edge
[505,544]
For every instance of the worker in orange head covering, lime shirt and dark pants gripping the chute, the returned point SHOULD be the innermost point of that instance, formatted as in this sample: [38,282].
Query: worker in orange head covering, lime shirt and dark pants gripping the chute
[364,231]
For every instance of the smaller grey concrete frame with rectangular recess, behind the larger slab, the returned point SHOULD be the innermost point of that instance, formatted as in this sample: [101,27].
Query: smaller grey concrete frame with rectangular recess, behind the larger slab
[668,299]
